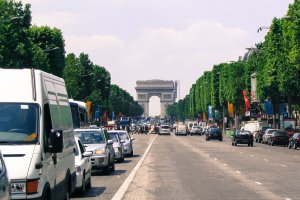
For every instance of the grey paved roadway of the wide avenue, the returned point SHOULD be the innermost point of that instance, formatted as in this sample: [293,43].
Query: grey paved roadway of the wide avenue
[188,167]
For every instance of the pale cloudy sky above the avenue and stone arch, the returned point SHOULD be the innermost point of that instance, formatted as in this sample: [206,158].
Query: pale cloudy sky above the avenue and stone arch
[158,39]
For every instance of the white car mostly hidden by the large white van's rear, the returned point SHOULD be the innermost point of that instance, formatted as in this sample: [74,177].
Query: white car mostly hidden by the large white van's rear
[83,166]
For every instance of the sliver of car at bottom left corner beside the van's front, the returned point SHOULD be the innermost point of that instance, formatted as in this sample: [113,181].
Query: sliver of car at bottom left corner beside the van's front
[4,183]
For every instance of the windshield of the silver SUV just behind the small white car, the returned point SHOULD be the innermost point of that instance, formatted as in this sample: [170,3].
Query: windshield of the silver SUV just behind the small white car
[91,137]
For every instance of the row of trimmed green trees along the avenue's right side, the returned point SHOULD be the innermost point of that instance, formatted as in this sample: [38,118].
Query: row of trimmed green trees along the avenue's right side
[276,62]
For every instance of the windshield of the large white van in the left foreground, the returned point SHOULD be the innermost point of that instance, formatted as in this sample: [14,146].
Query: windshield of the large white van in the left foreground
[18,123]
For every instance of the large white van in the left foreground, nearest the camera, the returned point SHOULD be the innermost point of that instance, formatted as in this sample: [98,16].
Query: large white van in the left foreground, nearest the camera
[36,134]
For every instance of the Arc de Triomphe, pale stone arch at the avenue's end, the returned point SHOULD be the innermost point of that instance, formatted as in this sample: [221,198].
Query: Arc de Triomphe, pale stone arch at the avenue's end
[166,91]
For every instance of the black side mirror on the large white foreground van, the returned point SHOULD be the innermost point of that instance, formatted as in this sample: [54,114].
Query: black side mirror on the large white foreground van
[56,141]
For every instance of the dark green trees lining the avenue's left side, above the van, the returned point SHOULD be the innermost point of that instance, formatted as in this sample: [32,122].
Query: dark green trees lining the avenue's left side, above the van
[41,47]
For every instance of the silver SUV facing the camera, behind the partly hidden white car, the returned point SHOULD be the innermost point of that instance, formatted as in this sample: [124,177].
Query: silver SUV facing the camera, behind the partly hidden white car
[103,153]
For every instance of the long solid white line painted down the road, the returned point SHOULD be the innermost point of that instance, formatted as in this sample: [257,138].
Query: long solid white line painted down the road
[124,187]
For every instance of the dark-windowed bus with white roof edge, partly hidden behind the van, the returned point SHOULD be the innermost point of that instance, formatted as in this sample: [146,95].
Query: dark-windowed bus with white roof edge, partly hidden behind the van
[79,114]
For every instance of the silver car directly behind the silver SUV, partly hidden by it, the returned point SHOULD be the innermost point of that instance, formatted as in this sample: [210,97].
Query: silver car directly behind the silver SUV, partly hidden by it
[118,145]
